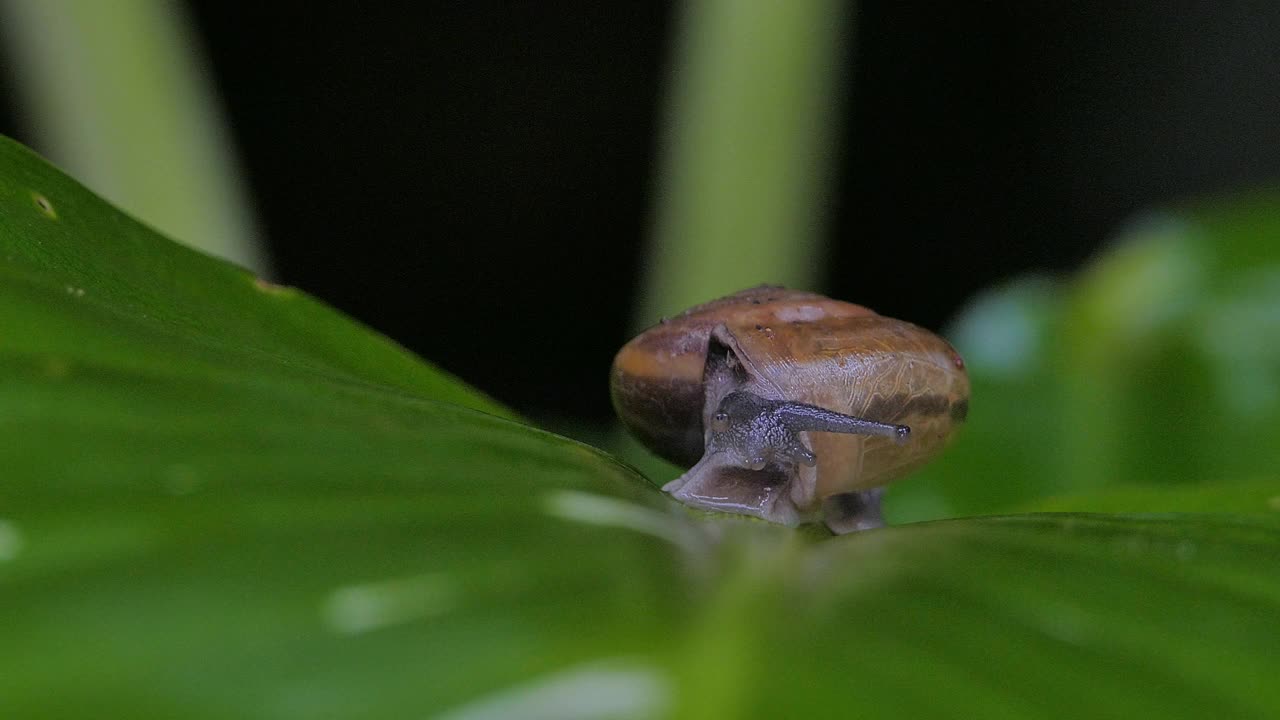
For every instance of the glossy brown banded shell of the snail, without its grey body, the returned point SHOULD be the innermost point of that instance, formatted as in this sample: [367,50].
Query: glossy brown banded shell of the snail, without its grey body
[804,348]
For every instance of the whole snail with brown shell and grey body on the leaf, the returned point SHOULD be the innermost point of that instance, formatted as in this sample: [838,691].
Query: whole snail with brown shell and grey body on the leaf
[788,405]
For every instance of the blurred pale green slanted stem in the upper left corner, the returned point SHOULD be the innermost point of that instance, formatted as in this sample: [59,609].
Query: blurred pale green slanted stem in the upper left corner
[116,94]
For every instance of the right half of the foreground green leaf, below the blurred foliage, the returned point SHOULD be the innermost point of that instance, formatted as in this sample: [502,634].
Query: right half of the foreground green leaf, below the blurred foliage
[1022,617]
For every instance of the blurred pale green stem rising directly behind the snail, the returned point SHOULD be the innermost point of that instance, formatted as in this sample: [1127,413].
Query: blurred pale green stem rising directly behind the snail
[748,149]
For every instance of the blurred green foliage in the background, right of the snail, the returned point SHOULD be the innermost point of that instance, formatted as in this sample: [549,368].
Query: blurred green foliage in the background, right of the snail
[1158,366]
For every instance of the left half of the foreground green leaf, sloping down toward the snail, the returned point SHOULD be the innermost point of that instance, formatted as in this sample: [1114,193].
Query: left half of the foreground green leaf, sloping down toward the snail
[217,493]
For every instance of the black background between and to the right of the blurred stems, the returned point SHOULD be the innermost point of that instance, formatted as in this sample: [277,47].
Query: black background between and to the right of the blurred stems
[477,180]
